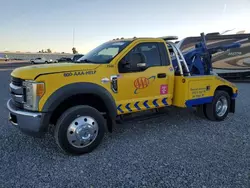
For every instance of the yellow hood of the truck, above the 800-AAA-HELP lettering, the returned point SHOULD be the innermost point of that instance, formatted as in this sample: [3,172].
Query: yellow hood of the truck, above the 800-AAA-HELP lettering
[32,71]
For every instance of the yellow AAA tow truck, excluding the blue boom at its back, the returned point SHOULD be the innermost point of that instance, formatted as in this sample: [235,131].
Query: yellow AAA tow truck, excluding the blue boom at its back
[79,101]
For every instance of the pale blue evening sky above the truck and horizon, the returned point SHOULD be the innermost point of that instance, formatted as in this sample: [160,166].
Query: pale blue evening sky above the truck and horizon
[32,25]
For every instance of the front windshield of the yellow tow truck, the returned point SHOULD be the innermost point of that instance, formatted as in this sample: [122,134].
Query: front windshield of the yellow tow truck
[104,53]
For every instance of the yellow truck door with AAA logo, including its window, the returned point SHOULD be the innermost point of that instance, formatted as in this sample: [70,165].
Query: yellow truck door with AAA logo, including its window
[151,87]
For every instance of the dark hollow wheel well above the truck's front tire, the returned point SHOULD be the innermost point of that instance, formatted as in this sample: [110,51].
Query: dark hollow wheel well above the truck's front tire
[80,99]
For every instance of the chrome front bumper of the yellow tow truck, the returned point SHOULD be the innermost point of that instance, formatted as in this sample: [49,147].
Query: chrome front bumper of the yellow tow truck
[28,122]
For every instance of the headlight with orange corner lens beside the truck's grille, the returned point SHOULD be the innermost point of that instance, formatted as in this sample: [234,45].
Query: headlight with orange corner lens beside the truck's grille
[34,92]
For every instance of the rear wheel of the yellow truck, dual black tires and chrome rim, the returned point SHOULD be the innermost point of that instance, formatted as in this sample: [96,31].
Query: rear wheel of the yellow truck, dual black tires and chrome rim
[219,108]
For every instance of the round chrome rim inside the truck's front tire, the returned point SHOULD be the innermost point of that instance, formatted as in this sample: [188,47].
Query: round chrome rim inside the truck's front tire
[82,131]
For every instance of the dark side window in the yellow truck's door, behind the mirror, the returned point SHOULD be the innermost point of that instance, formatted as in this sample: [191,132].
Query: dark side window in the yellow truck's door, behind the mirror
[150,52]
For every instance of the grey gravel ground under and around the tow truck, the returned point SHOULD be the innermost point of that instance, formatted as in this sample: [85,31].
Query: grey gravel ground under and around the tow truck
[177,150]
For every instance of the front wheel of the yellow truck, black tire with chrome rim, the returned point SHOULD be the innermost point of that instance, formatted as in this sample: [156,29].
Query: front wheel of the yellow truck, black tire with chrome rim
[79,130]
